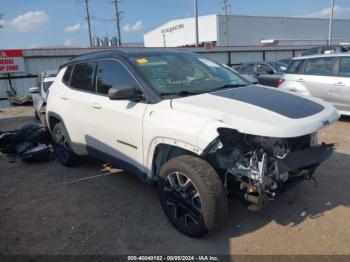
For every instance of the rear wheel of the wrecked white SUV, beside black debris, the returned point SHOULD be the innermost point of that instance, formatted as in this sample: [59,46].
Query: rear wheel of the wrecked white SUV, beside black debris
[62,146]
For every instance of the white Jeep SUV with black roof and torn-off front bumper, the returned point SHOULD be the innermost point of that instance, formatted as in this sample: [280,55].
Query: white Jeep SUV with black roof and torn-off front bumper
[195,128]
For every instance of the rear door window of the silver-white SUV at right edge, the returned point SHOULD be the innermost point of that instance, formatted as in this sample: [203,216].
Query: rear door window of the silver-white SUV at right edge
[320,66]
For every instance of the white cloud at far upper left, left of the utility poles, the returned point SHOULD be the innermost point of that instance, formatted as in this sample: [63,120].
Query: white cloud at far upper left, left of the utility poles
[30,21]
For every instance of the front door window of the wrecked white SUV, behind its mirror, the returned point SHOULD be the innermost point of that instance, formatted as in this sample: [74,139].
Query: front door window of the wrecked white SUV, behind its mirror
[112,74]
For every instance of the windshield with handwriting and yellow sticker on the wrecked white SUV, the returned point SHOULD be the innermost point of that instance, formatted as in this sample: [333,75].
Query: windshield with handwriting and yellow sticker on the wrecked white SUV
[183,74]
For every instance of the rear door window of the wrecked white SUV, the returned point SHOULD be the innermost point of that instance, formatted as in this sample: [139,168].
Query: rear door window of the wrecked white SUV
[83,76]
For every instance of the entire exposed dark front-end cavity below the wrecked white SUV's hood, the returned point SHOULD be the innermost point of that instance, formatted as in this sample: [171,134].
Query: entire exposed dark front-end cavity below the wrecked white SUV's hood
[259,166]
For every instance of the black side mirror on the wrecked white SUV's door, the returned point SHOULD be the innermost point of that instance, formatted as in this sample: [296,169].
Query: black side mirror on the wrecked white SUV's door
[125,92]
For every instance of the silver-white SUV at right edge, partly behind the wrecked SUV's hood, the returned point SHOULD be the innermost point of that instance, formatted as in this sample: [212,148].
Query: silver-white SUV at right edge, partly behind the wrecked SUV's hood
[323,76]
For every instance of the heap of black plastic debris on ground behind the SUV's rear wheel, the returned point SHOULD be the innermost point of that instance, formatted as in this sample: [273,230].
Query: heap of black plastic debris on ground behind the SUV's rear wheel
[31,143]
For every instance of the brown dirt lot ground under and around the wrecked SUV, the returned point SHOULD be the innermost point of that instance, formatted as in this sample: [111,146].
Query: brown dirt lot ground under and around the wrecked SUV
[96,209]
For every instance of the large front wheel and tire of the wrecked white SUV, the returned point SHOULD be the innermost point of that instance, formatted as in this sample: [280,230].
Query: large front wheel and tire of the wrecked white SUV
[192,195]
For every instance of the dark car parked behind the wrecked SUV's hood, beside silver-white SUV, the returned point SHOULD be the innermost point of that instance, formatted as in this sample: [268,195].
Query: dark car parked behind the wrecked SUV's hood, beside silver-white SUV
[267,73]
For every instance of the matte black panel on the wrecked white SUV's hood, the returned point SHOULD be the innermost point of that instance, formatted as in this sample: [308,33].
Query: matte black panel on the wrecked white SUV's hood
[282,103]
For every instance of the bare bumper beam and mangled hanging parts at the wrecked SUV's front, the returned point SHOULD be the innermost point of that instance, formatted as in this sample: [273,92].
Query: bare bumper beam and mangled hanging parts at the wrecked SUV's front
[266,174]
